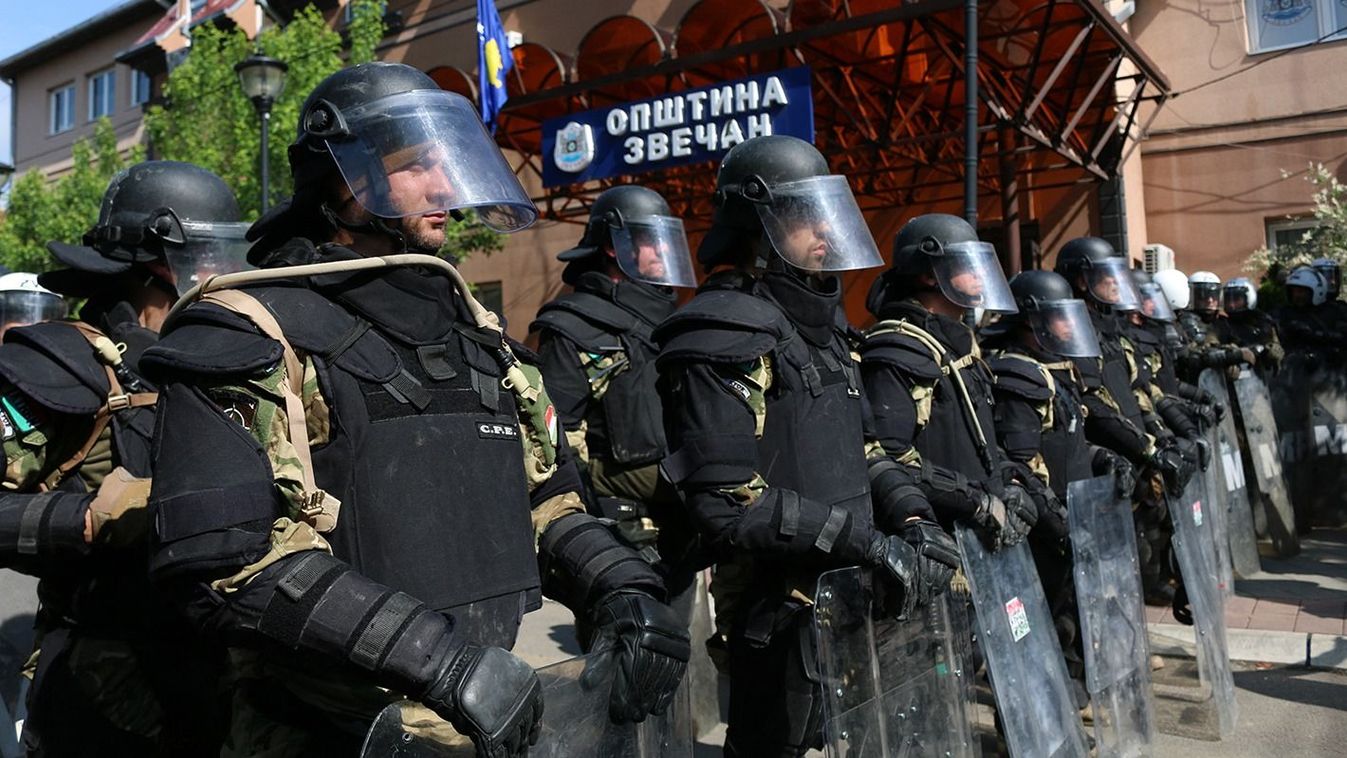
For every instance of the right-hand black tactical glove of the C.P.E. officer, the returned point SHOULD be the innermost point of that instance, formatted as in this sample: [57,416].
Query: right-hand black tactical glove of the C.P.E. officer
[653,650]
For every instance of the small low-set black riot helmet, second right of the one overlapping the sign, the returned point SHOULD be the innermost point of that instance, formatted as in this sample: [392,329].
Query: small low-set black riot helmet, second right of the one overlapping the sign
[1061,322]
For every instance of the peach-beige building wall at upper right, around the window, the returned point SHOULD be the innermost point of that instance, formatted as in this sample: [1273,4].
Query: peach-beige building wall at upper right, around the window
[1224,161]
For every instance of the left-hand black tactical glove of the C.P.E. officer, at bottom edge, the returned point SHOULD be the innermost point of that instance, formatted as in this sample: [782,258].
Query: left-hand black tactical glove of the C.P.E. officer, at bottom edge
[491,697]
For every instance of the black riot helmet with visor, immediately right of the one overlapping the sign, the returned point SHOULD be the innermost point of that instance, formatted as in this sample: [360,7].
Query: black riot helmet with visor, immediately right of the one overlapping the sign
[948,248]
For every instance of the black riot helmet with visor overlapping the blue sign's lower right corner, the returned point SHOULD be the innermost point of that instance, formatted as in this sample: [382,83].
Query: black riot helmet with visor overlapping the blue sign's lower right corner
[781,189]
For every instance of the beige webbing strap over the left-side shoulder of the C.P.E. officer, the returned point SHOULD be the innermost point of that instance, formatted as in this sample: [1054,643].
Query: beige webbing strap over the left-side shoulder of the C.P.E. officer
[319,508]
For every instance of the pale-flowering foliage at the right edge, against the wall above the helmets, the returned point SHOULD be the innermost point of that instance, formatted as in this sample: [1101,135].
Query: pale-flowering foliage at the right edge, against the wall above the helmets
[1326,240]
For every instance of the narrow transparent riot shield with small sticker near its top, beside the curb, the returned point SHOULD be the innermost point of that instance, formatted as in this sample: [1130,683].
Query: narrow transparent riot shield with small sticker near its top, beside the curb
[1208,710]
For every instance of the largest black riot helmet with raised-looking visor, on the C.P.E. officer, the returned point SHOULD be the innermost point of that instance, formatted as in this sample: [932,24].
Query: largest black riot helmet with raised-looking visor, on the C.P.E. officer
[403,147]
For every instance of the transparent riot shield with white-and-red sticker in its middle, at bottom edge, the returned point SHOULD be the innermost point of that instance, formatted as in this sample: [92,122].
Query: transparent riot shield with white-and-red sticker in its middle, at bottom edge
[1024,658]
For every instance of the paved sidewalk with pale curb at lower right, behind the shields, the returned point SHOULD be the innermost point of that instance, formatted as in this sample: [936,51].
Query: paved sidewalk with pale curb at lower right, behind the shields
[1294,612]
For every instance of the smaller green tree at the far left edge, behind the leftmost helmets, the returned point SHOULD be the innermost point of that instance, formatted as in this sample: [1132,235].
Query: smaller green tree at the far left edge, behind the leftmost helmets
[41,211]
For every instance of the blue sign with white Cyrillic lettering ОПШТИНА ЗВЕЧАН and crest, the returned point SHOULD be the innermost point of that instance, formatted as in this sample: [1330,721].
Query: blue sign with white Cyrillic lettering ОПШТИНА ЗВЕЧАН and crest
[676,130]
